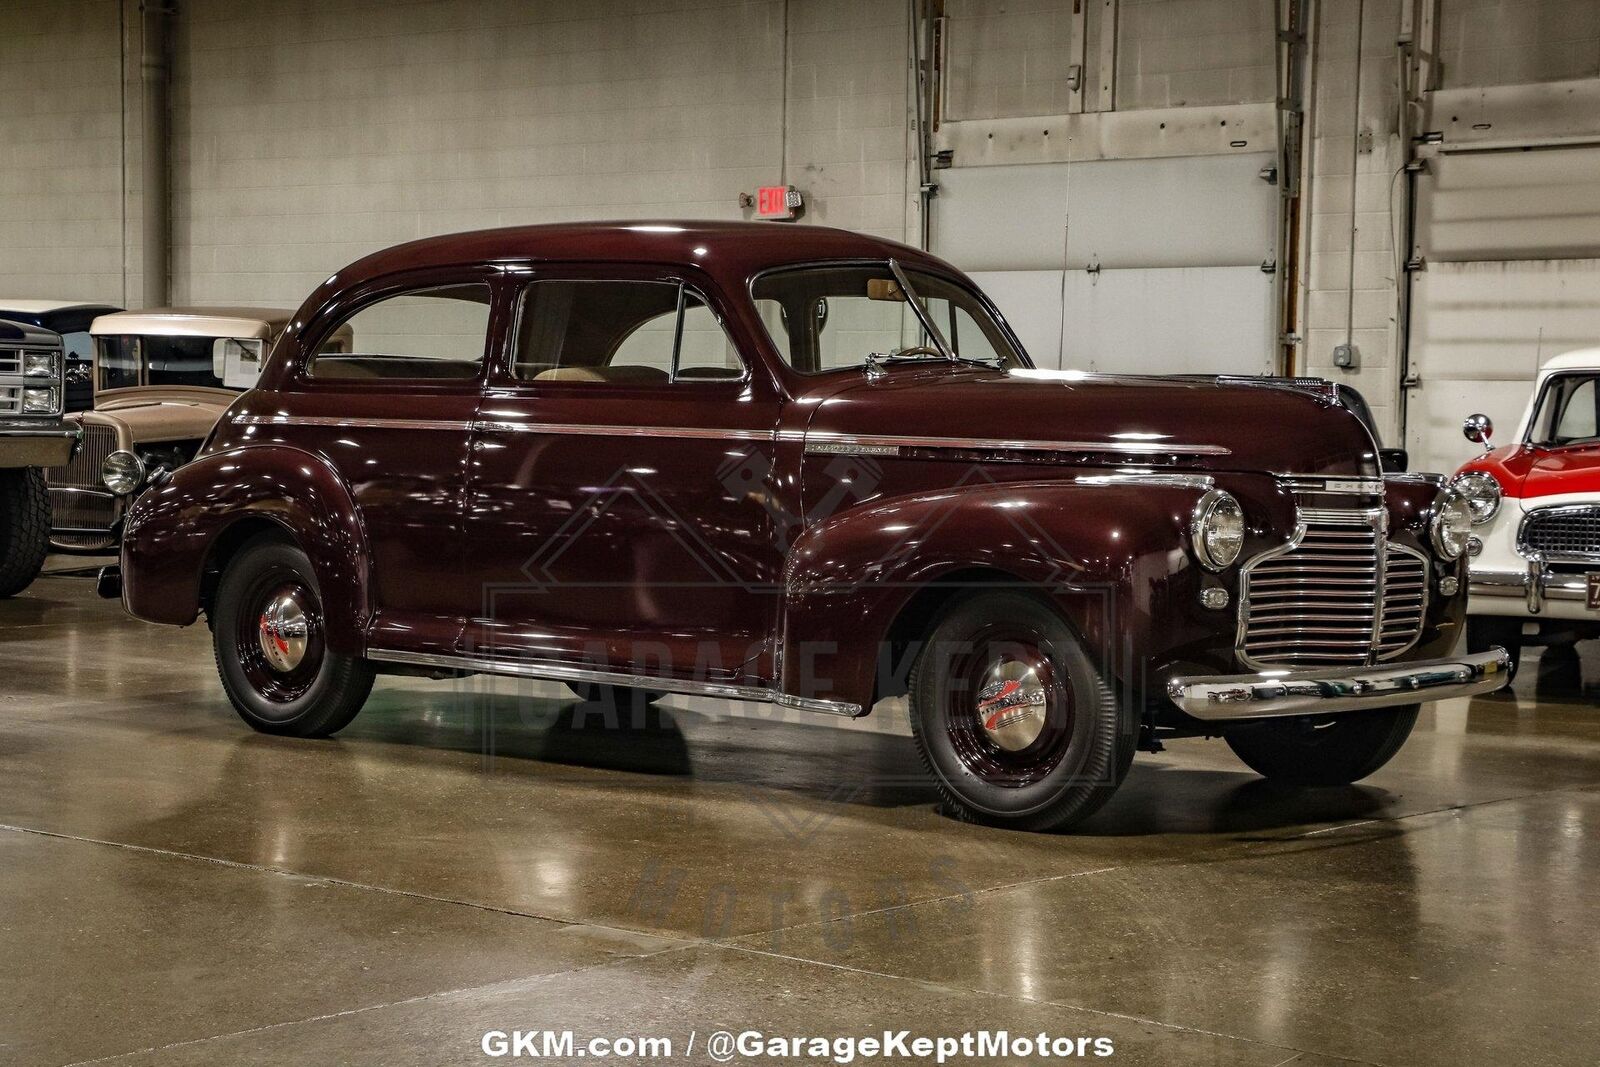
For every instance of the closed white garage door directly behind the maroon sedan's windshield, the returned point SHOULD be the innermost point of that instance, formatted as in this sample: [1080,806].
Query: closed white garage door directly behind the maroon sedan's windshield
[1150,266]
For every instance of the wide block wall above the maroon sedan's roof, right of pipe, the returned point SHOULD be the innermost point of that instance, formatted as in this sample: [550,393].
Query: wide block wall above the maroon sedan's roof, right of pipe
[308,135]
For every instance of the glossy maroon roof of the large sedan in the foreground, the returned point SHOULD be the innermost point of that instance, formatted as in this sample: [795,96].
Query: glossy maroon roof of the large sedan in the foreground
[732,247]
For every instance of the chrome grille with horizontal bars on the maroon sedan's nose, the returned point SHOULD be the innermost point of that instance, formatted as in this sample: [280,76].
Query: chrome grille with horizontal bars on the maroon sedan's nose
[1314,602]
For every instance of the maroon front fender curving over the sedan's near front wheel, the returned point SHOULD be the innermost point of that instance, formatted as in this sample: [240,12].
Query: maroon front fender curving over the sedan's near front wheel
[1113,557]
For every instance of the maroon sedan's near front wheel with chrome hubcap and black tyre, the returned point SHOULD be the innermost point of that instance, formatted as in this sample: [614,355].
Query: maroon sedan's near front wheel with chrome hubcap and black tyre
[1012,719]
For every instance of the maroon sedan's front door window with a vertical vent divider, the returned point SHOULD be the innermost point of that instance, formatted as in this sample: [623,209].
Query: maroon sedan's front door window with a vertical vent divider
[626,334]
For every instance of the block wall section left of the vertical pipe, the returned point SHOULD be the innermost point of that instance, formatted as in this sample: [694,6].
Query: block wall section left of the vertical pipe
[62,151]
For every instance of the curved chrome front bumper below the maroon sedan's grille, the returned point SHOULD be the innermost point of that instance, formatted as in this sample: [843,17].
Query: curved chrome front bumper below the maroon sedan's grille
[1337,690]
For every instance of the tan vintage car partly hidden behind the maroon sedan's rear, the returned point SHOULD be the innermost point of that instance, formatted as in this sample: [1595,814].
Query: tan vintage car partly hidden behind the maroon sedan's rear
[162,378]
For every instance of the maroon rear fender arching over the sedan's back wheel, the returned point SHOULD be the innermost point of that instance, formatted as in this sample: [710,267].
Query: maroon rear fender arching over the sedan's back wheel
[174,530]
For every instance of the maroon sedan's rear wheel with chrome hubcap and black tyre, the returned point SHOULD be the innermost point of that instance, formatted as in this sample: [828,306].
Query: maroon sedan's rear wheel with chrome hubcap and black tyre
[271,650]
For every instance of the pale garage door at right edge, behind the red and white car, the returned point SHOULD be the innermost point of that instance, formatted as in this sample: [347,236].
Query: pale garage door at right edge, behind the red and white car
[1513,278]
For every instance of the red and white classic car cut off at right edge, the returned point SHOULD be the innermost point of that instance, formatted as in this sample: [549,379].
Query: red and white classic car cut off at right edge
[1535,549]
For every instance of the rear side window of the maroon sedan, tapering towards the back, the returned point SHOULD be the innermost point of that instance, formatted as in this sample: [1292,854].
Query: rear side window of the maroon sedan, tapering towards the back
[438,334]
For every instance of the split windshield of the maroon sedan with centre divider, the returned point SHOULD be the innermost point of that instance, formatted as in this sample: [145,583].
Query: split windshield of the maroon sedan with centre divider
[830,319]
